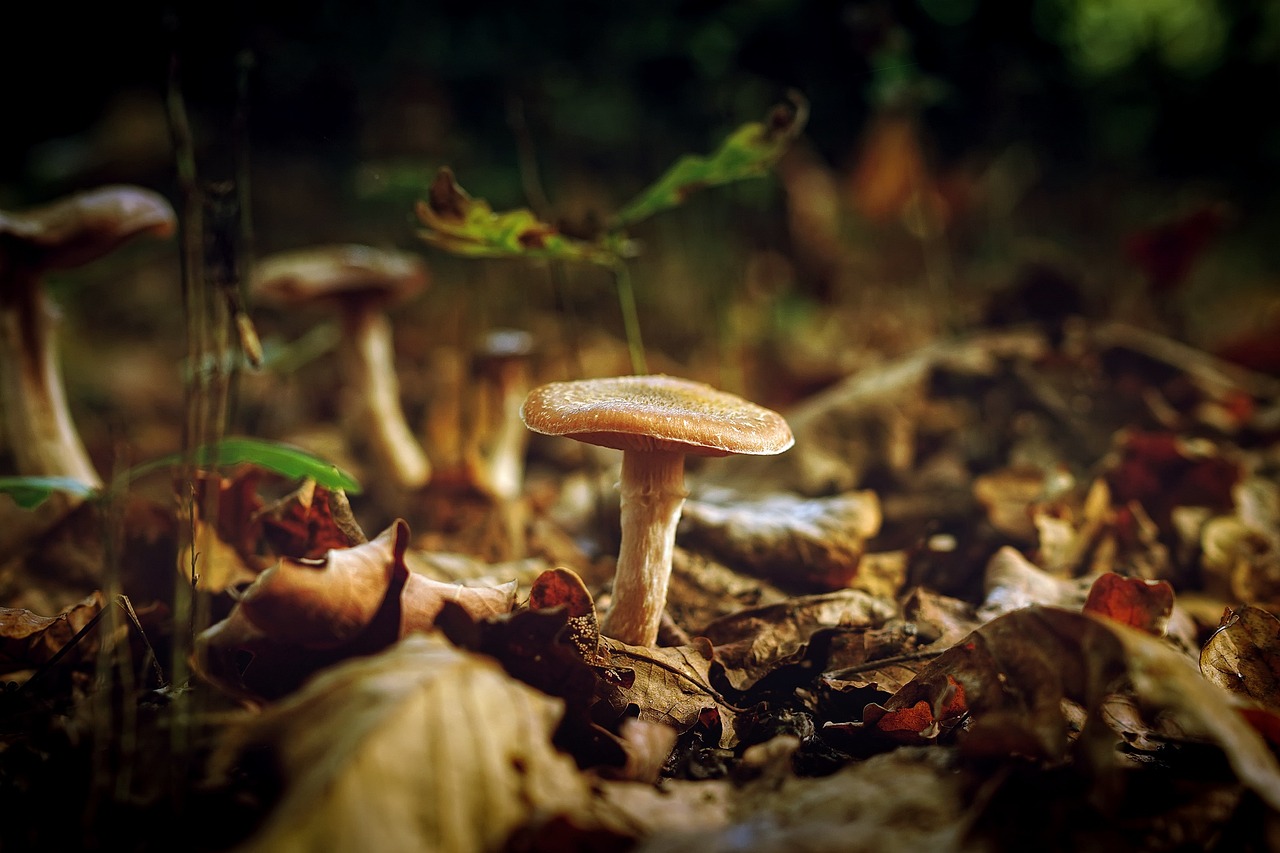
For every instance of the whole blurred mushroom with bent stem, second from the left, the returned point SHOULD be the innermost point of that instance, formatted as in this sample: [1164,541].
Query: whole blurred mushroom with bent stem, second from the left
[362,282]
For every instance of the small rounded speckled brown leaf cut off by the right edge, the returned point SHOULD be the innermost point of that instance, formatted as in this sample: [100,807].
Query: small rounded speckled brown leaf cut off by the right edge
[1244,658]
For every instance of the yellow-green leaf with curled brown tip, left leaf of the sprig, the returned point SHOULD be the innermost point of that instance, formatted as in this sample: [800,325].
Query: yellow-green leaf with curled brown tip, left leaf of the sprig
[464,226]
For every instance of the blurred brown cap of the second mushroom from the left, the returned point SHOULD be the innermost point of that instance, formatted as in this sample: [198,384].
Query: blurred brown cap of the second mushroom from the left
[340,273]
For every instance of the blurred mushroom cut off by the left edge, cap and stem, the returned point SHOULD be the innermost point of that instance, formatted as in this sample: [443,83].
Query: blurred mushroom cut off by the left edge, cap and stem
[62,235]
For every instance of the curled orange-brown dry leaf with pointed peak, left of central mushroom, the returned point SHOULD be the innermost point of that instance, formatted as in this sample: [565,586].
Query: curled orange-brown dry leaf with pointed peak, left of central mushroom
[301,615]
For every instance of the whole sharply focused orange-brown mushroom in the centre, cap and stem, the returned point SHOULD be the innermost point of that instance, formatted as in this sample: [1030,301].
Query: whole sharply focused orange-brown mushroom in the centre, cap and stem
[656,421]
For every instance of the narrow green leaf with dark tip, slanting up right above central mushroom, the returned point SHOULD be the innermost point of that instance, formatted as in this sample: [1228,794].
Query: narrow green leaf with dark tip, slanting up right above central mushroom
[749,152]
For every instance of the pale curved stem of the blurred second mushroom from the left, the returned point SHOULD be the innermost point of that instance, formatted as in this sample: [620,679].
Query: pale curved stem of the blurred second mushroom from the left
[372,376]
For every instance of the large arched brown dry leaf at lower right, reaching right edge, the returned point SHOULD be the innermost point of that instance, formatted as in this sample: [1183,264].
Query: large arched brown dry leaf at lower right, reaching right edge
[1013,674]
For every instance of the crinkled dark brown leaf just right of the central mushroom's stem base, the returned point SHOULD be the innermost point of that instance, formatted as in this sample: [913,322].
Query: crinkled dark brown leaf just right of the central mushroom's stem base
[753,644]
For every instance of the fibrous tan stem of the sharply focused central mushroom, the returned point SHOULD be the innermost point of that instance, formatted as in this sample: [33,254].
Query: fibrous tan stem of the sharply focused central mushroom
[653,496]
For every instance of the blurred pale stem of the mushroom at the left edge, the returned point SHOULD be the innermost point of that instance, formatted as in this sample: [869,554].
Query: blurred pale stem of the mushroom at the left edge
[42,432]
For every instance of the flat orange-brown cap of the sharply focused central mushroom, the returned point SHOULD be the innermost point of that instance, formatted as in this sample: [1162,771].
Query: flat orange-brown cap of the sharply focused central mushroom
[656,413]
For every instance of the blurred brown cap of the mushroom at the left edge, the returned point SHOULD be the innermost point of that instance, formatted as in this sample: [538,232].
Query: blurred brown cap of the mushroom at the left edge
[83,227]
